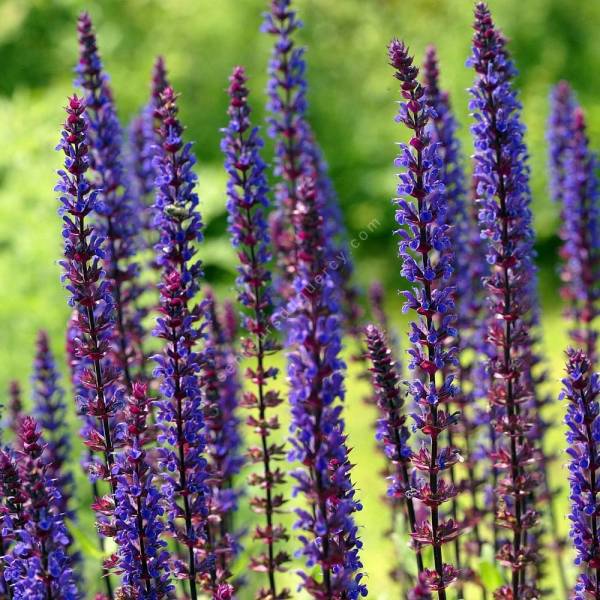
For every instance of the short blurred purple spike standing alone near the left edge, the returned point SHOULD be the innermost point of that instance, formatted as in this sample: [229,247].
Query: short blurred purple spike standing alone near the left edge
[50,410]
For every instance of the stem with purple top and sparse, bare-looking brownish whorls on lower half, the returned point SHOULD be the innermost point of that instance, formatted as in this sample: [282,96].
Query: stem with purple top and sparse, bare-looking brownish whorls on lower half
[247,204]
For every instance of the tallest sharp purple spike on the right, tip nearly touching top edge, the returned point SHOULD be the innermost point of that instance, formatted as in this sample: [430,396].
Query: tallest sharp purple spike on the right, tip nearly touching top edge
[505,221]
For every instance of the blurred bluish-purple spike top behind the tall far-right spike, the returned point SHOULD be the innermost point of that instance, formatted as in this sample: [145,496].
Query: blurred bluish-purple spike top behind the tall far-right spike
[560,130]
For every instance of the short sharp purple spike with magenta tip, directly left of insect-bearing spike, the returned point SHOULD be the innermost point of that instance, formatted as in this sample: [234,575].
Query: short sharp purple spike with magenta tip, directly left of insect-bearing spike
[142,559]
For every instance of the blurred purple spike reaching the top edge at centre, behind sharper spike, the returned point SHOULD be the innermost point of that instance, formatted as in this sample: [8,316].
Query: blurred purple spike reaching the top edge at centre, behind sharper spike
[287,126]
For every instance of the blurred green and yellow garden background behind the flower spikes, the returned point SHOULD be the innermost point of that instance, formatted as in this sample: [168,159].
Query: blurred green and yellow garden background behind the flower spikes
[351,98]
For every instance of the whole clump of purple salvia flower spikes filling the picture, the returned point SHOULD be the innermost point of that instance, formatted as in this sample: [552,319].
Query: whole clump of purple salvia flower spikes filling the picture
[215,430]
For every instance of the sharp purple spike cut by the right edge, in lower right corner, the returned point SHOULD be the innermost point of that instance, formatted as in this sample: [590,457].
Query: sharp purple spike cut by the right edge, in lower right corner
[581,389]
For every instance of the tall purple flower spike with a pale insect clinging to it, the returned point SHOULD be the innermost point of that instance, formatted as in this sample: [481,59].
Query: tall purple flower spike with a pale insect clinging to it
[178,365]
